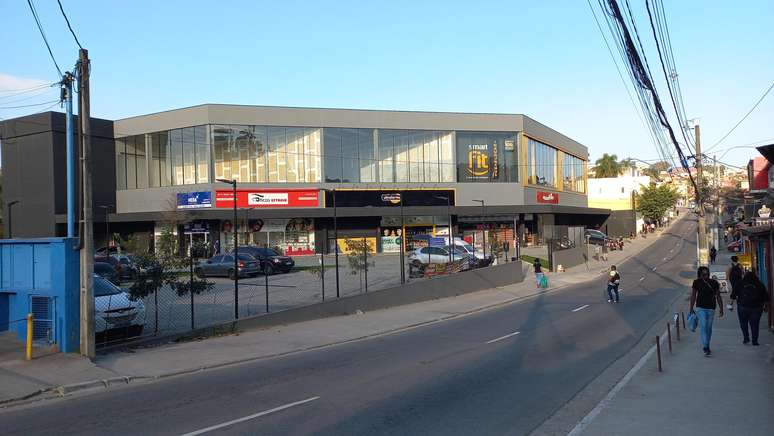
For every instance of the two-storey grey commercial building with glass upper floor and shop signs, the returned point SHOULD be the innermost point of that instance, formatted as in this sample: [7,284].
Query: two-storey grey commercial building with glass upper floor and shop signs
[383,174]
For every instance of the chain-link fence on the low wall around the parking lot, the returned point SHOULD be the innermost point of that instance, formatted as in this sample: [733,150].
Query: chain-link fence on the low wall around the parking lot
[189,297]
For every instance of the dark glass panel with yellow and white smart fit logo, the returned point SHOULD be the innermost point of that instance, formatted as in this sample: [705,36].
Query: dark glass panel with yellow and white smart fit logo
[487,157]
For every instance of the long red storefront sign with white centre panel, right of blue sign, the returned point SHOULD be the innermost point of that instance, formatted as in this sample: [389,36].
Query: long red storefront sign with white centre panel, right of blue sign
[268,198]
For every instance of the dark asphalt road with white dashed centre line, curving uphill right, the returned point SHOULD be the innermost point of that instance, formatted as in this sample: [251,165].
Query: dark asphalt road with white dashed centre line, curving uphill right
[470,375]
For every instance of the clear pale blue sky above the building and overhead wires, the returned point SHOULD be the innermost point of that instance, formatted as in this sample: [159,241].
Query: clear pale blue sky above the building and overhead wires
[544,59]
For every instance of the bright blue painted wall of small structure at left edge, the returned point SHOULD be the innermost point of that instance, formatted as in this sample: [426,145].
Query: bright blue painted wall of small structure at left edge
[45,267]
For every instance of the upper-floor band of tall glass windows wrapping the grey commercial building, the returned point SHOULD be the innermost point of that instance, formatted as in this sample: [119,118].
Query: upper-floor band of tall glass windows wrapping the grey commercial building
[273,154]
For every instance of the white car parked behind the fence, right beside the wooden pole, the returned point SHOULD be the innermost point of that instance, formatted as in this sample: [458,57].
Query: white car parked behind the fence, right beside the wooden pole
[115,311]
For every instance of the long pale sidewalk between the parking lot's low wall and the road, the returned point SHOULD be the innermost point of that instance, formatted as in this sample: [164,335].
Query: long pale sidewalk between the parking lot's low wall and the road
[61,374]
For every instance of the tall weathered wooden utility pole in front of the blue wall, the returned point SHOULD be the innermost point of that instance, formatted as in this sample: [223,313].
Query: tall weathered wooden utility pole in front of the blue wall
[87,235]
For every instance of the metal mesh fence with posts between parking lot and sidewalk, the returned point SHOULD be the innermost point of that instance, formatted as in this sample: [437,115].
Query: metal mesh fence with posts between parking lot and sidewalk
[312,280]
